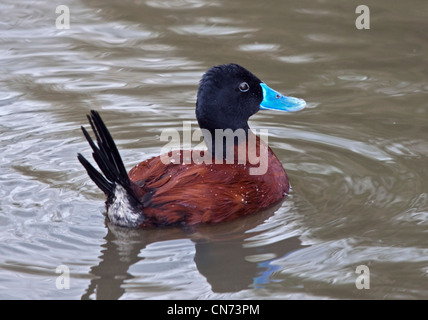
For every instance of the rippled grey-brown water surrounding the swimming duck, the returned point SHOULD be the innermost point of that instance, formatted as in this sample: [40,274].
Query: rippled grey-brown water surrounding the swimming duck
[356,157]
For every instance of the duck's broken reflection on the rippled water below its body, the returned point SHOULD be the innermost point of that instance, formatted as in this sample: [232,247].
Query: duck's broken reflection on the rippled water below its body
[228,256]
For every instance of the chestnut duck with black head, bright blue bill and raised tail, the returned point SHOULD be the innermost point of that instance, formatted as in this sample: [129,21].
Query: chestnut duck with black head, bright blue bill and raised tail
[219,183]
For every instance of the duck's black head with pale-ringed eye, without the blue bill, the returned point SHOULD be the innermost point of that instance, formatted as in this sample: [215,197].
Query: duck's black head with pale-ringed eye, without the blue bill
[228,96]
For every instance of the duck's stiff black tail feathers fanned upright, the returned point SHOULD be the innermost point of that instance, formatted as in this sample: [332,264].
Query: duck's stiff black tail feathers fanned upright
[107,157]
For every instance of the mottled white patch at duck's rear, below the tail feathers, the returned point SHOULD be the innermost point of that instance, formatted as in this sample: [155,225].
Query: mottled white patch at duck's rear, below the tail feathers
[121,212]
